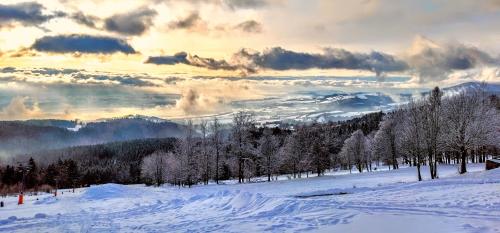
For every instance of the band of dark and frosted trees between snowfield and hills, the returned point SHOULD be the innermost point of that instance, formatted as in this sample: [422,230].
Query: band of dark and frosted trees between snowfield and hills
[435,129]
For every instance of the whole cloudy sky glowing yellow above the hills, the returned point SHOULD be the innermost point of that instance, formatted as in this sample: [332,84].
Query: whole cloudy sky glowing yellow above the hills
[97,59]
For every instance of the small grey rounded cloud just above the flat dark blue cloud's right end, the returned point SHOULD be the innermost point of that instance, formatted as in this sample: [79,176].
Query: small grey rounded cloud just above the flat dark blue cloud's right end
[131,23]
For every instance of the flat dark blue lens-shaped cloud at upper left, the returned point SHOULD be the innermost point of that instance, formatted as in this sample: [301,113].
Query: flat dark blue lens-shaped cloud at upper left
[82,44]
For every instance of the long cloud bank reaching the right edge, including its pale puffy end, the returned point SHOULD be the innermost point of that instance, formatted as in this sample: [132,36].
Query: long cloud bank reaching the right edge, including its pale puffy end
[426,59]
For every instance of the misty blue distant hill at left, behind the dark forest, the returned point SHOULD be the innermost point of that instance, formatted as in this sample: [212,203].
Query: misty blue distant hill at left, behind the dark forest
[18,137]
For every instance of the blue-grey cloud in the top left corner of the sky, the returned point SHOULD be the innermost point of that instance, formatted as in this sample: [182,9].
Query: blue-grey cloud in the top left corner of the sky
[27,14]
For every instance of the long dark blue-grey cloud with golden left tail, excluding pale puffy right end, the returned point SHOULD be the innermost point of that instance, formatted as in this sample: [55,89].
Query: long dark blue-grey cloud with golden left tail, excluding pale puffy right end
[280,59]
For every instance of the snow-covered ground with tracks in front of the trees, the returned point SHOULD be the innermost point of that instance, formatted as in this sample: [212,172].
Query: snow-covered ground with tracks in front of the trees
[383,201]
